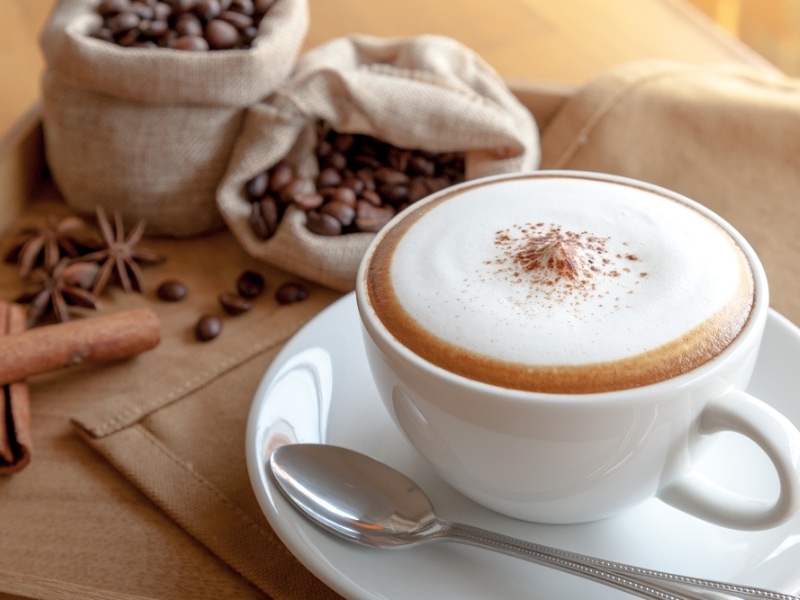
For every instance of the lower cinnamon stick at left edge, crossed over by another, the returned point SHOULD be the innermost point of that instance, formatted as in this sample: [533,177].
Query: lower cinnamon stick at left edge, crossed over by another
[16,442]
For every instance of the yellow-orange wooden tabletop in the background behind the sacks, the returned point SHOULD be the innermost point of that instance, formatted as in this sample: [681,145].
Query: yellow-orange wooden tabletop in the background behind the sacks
[565,42]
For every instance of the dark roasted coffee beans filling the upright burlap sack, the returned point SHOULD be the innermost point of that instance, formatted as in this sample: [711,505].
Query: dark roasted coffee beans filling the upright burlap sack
[181,24]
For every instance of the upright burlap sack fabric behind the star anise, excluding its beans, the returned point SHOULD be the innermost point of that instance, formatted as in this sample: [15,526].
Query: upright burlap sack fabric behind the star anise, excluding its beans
[148,131]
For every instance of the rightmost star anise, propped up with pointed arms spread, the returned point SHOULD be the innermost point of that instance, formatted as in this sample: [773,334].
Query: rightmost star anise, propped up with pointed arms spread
[121,255]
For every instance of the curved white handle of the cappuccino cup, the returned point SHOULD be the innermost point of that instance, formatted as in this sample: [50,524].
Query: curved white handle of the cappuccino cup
[741,413]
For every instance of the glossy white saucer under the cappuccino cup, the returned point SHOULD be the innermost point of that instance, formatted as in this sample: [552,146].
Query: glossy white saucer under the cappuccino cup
[319,389]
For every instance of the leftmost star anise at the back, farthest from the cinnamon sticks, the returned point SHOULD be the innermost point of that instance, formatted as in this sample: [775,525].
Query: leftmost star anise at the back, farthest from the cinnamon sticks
[45,244]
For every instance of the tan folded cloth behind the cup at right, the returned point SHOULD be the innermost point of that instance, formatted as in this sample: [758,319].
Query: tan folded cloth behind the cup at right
[726,136]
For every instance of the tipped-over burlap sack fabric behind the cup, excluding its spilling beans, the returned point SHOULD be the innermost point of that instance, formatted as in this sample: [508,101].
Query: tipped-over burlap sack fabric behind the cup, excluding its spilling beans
[425,92]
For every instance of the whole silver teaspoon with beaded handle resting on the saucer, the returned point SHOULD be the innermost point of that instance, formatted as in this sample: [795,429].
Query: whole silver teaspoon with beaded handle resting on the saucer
[368,502]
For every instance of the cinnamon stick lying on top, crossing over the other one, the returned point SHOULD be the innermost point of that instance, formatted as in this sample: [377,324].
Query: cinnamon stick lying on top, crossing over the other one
[85,341]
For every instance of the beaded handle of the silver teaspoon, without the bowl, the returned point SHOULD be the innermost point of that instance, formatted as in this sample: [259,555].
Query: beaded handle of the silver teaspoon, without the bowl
[645,583]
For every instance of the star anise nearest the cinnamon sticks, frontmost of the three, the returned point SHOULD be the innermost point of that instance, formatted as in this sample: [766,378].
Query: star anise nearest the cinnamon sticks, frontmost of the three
[51,291]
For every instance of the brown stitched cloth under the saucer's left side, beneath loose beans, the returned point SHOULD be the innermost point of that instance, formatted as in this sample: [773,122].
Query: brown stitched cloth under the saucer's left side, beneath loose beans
[173,421]
